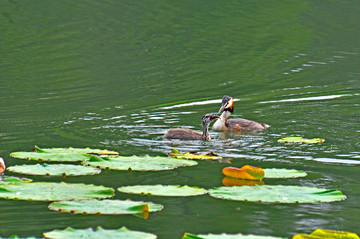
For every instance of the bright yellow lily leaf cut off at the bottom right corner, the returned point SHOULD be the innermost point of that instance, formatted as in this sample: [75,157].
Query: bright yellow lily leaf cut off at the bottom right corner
[329,234]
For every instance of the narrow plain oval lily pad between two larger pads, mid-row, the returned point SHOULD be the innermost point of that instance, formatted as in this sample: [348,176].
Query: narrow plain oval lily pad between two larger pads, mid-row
[163,190]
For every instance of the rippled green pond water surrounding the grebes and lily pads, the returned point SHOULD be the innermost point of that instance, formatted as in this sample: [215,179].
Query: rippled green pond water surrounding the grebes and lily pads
[117,74]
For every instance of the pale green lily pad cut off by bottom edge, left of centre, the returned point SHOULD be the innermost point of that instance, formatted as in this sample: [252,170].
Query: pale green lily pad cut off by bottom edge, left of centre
[98,233]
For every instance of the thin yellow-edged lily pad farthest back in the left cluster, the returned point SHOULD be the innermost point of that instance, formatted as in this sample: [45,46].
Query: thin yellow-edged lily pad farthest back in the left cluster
[75,150]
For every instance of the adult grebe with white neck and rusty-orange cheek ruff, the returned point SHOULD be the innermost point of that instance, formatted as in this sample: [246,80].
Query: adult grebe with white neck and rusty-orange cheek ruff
[226,124]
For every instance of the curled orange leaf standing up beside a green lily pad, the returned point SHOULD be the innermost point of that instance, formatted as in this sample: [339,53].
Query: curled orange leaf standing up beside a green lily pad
[246,172]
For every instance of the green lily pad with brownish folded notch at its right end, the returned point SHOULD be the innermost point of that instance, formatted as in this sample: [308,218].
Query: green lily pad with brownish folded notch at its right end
[112,207]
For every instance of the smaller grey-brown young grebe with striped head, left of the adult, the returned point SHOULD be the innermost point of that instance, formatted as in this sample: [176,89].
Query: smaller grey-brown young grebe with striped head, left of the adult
[189,134]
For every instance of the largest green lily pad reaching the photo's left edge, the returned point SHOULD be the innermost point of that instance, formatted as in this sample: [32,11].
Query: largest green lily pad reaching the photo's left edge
[46,191]
